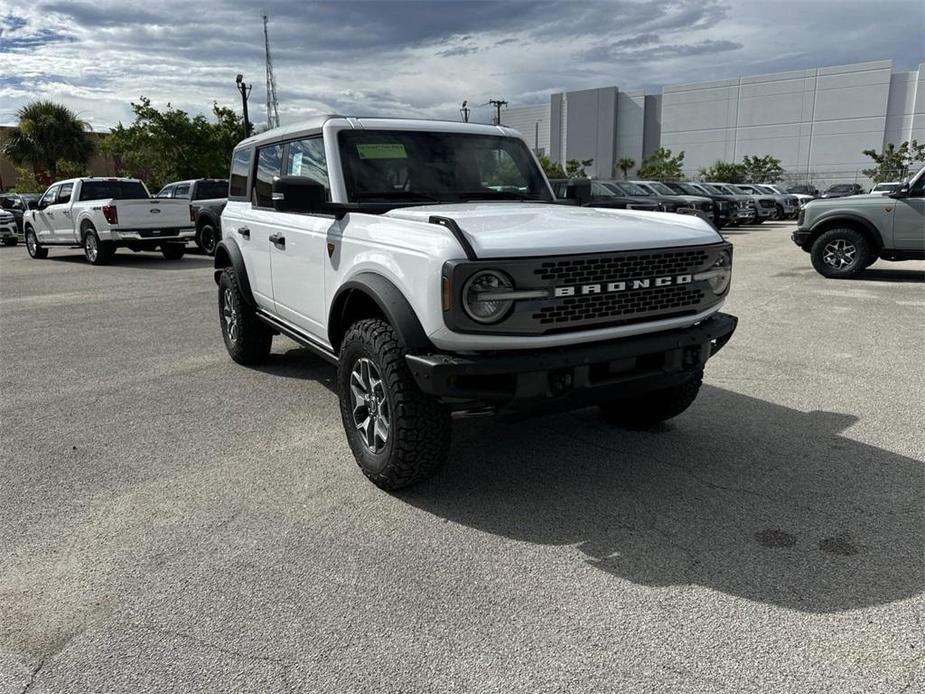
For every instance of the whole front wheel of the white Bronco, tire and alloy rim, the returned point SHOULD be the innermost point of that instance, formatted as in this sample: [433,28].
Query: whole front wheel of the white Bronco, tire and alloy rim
[398,435]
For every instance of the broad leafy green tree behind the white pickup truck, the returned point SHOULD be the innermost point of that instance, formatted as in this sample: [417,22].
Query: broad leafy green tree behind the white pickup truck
[165,145]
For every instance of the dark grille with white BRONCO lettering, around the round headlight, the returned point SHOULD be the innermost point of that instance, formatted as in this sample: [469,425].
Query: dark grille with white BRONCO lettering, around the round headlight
[595,290]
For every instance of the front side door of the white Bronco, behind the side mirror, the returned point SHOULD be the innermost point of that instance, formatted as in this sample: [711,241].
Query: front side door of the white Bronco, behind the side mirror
[298,242]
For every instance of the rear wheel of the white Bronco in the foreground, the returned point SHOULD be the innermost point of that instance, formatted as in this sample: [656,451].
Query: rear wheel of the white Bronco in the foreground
[247,340]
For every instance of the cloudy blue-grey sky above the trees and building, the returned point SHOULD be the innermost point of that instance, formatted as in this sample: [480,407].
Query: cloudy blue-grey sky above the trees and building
[420,58]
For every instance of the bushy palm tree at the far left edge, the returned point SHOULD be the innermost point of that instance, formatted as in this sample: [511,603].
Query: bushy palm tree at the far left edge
[46,134]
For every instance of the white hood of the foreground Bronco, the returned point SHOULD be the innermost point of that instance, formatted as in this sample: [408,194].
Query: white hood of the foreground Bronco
[504,230]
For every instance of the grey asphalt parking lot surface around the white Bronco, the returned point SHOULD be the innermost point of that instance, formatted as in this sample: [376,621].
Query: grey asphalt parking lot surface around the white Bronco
[170,521]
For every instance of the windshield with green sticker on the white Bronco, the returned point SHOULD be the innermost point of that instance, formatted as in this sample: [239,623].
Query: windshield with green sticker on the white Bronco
[415,166]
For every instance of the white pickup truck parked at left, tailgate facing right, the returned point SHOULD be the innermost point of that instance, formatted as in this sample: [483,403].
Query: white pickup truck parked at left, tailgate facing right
[102,214]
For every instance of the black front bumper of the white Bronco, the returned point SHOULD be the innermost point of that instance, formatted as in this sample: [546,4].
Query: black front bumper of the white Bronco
[568,377]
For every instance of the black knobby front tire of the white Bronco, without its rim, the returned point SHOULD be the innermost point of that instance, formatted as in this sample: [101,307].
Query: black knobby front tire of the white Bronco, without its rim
[420,429]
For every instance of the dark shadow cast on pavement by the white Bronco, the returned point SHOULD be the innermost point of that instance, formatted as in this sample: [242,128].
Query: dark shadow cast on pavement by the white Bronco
[738,495]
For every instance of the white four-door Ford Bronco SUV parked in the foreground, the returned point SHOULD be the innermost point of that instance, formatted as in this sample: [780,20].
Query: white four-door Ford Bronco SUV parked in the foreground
[431,263]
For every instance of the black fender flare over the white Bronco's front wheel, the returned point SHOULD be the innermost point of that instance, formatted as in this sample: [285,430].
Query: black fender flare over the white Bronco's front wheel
[390,301]
